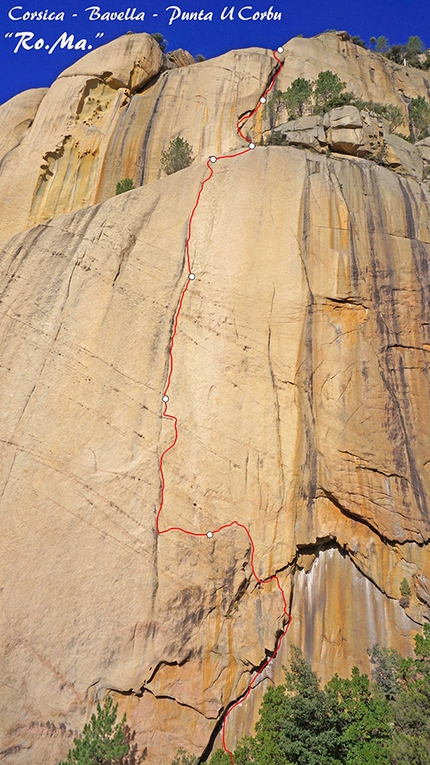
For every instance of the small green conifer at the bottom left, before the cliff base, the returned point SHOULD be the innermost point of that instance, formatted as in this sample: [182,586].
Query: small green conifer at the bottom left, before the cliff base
[103,741]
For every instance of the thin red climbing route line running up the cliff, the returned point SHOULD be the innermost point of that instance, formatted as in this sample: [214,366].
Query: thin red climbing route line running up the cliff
[274,577]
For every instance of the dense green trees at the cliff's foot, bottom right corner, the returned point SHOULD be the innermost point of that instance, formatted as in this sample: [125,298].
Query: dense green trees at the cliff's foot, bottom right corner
[382,720]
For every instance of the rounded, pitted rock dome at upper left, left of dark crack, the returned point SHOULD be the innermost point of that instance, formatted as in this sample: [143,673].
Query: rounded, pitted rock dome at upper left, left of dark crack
[58,165]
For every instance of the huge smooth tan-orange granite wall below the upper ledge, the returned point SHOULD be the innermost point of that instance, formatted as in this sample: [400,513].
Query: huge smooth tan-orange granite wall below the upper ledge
[300,386]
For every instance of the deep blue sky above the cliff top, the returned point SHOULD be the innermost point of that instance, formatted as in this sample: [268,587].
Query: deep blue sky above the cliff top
[32,54]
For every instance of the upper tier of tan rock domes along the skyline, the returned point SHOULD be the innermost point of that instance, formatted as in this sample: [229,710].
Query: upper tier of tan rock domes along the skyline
[111,114]
